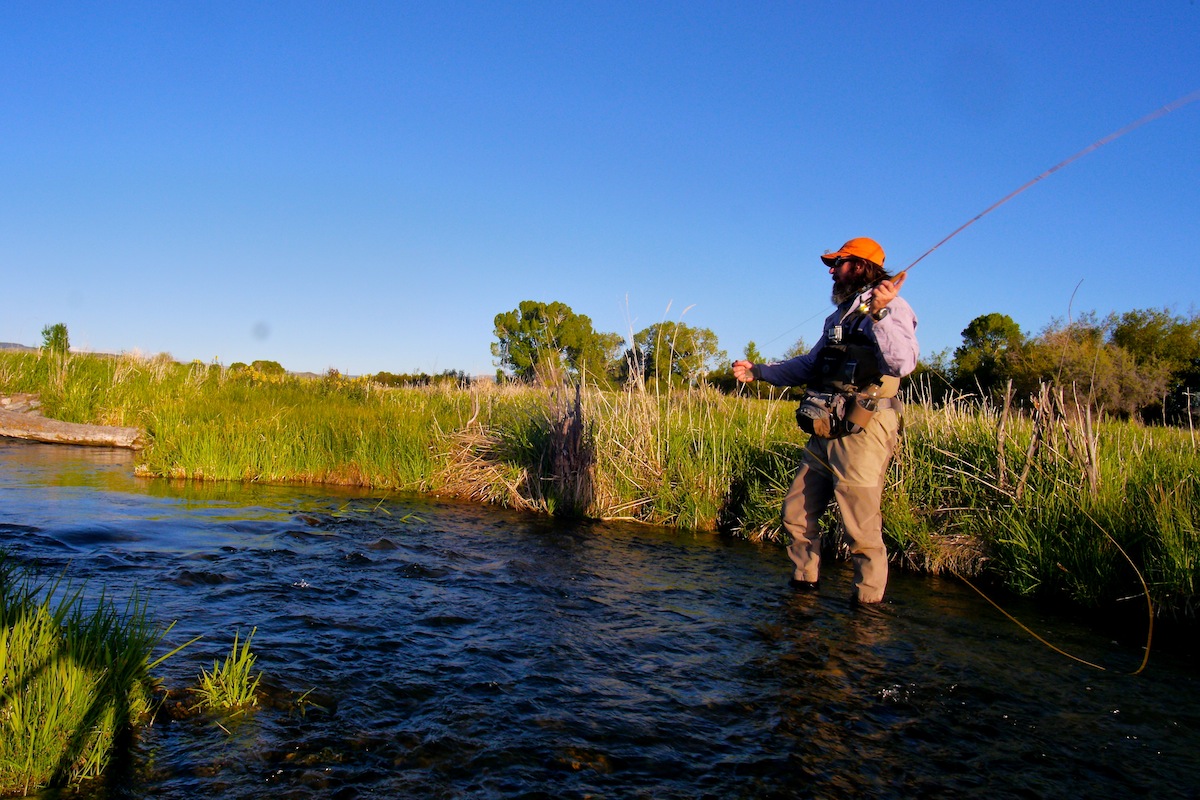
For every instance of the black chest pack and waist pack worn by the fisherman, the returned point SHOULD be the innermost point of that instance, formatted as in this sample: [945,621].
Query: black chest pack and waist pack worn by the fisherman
[848,388]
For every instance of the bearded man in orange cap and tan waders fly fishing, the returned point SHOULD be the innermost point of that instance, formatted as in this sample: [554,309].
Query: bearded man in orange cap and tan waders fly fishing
[850,410]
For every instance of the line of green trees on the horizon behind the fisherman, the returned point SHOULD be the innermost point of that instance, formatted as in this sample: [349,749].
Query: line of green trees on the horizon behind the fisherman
[1142,364]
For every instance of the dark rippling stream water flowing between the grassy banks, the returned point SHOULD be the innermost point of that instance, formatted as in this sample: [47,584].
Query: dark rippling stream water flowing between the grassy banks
[472,653]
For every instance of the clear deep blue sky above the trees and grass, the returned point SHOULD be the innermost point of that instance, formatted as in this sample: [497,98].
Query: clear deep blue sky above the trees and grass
[365,185]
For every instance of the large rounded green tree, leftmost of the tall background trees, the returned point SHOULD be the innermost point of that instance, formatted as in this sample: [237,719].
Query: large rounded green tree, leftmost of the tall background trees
[547,342]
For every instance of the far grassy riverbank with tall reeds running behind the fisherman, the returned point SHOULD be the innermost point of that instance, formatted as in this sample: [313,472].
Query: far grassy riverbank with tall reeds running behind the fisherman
[1052,506]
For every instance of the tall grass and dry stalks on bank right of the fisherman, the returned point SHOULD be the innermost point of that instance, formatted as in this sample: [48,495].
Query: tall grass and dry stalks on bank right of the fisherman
[1051,520]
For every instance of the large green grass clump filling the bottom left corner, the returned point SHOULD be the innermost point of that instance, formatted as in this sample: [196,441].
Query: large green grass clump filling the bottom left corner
[74,679]
